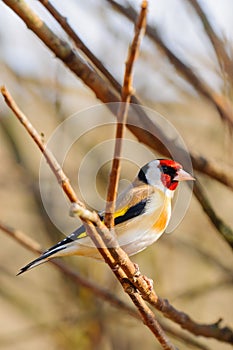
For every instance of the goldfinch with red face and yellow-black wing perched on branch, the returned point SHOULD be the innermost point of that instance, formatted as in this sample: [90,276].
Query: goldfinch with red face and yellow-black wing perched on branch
[142,213]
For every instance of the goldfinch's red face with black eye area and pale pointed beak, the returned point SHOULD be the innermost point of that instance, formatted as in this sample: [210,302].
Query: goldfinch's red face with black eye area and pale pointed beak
[171,173]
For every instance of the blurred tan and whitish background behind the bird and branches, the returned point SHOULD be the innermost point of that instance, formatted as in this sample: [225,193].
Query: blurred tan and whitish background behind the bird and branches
[192,267]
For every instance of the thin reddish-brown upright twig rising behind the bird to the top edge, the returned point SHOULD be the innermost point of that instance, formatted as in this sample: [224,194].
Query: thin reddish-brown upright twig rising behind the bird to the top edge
[126,93]
